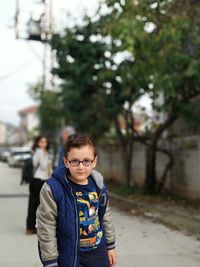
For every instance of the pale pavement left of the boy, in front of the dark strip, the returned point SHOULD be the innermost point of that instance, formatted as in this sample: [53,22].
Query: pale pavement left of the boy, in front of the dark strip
[16,249]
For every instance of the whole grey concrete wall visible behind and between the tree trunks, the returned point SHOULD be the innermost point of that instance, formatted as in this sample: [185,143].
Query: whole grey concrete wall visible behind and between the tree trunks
[184,178]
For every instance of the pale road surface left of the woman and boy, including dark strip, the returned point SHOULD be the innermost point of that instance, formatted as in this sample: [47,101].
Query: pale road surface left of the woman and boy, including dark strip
[16,249]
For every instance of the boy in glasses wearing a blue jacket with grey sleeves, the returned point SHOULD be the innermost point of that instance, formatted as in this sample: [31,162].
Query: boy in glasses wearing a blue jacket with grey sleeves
[74,226]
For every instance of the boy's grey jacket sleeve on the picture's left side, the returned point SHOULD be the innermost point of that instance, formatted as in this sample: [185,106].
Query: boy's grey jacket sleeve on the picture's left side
[46,227]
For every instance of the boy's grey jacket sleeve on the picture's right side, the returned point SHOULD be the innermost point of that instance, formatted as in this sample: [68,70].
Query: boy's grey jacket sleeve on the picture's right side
[109,229]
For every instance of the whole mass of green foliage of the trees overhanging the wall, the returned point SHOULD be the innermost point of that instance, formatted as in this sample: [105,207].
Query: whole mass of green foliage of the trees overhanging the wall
[157,46]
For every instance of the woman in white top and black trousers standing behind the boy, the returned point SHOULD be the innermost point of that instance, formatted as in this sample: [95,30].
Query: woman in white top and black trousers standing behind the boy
[42,170]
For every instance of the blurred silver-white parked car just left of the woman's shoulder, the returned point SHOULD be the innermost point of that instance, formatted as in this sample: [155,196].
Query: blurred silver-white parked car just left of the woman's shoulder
[18,155]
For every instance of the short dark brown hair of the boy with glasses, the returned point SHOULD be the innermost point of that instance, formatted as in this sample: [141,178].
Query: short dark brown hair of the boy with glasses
[78,140]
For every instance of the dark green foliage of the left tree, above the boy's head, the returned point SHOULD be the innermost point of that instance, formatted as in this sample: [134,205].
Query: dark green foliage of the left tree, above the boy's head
[80,60]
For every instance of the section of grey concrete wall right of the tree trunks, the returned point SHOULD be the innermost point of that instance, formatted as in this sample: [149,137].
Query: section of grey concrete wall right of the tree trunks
[185,175]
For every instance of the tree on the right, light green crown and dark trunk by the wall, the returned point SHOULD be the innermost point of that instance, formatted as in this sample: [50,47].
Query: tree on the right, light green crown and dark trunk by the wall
[169,35]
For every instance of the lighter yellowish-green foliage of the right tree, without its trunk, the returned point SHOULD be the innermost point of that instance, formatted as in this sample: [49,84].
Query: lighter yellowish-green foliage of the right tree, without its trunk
[165,42]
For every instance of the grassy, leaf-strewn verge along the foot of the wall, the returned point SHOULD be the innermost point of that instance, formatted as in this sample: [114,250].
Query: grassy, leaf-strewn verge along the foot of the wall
[174,212]
